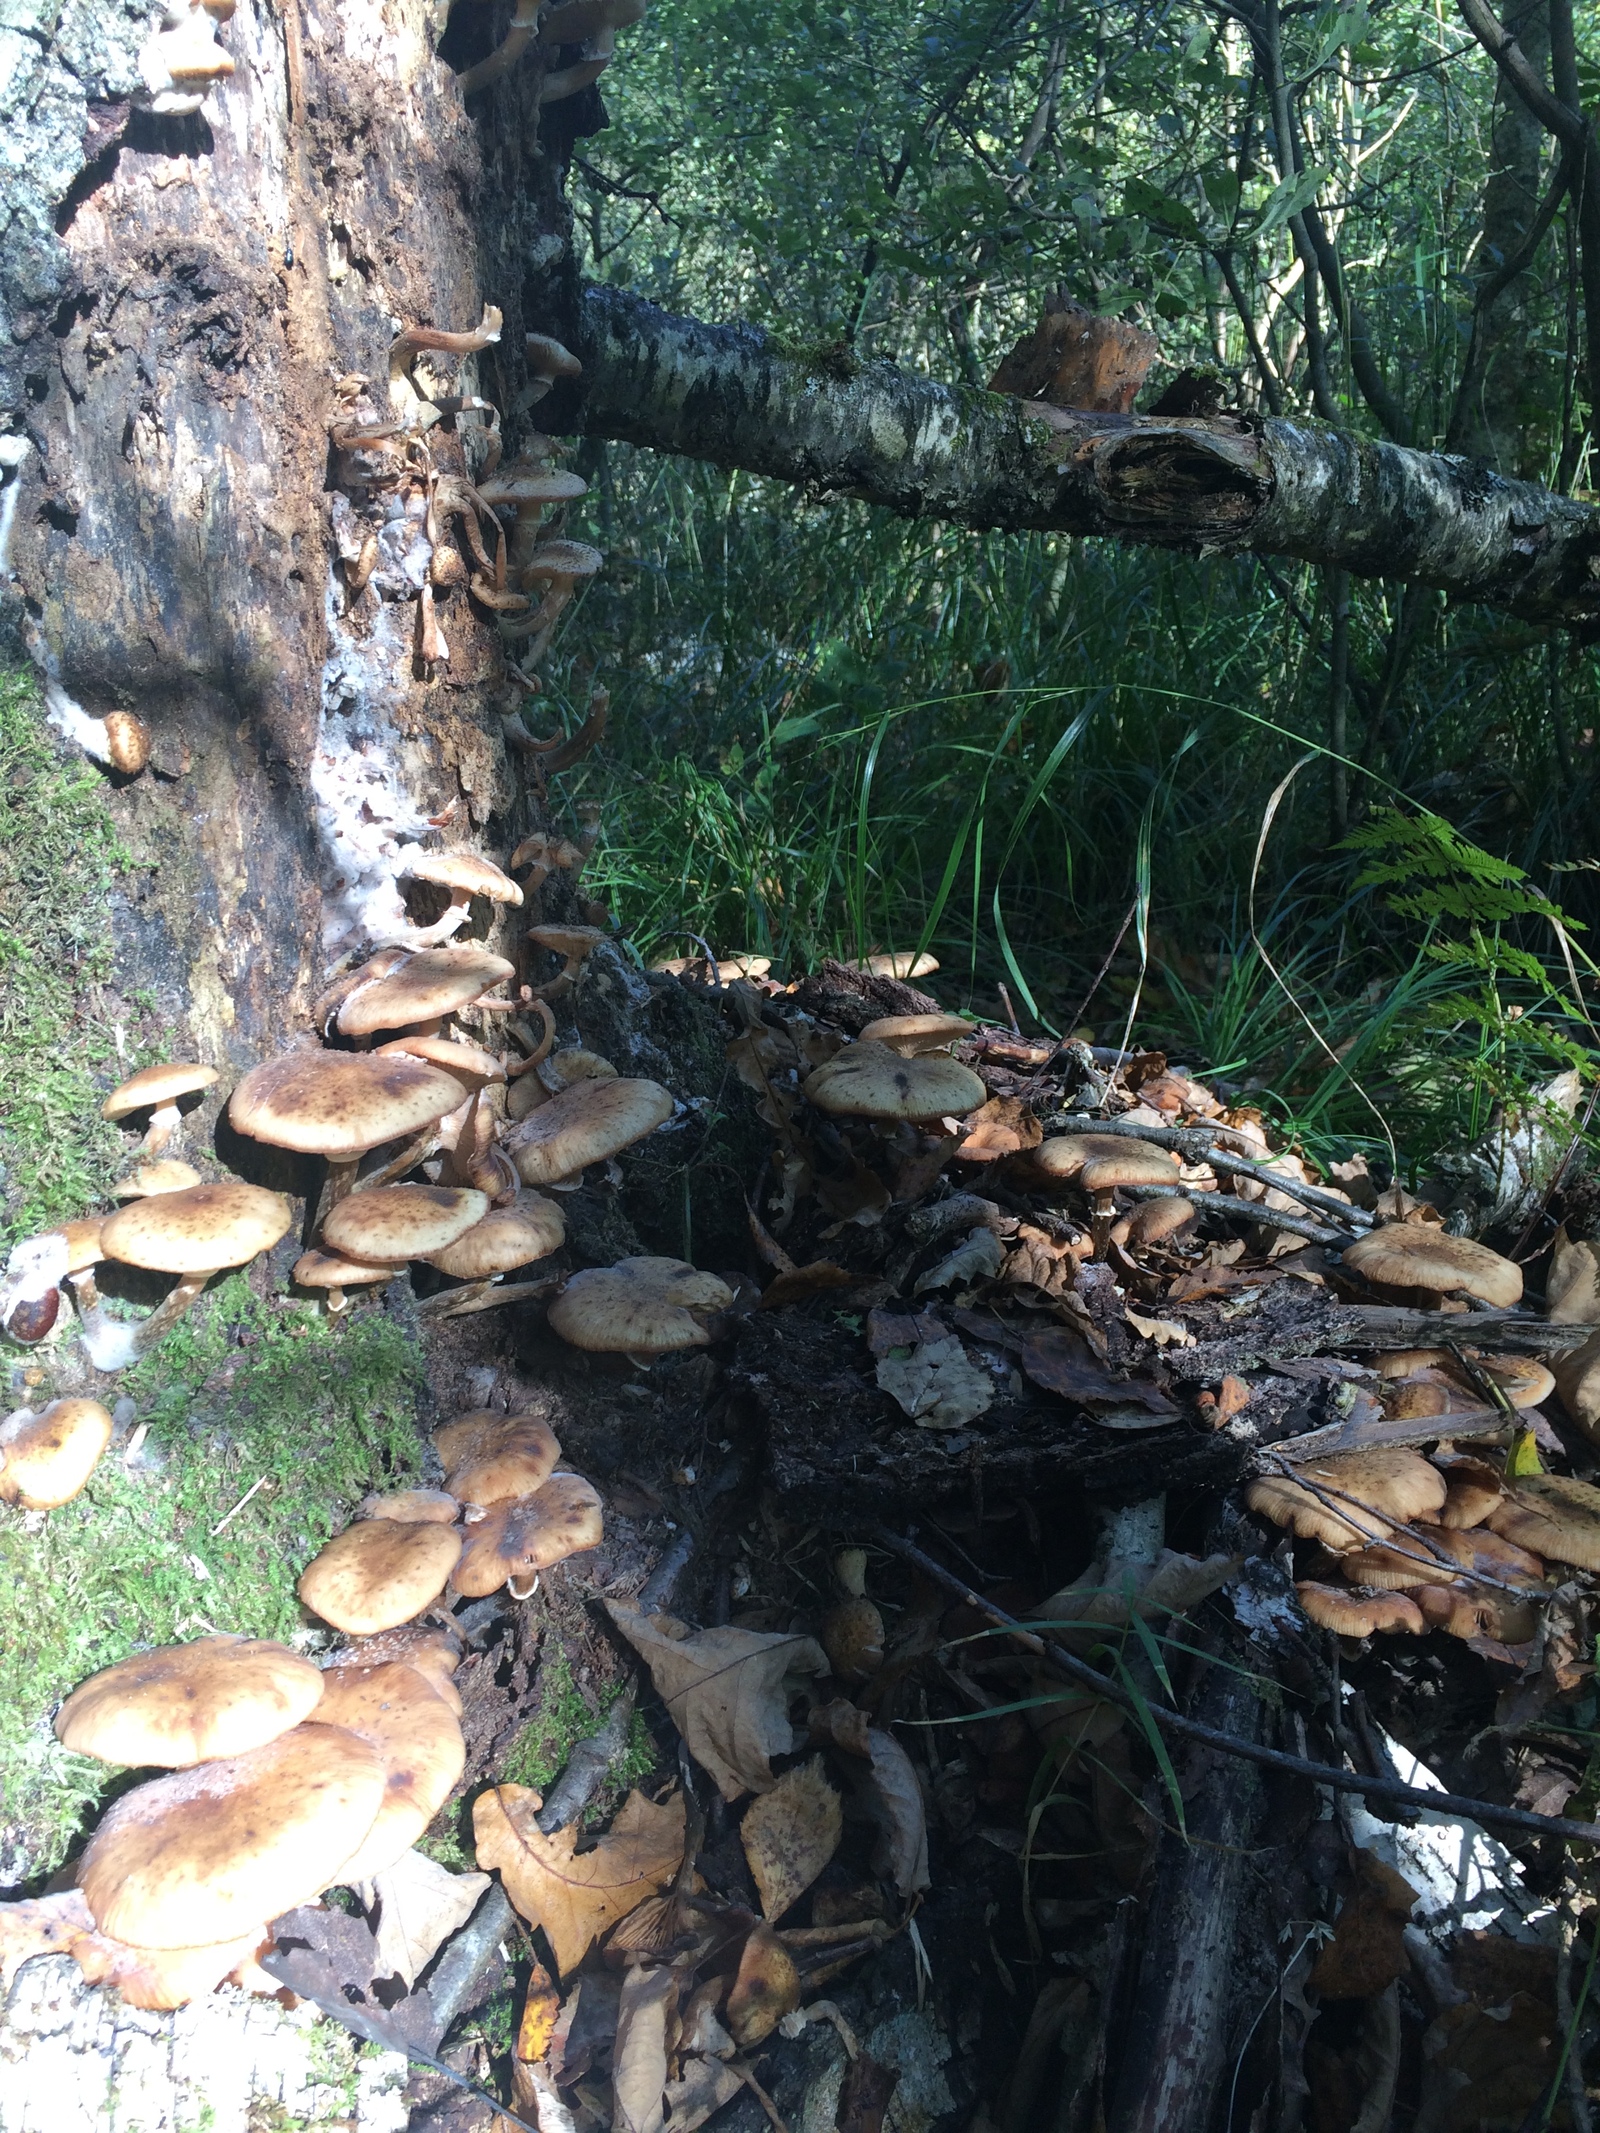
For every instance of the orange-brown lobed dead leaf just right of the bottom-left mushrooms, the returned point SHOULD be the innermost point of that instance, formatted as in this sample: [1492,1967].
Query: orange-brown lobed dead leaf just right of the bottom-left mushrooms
[577,1895]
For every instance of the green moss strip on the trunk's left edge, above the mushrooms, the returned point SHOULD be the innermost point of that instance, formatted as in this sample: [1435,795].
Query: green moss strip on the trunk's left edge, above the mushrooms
[59,863]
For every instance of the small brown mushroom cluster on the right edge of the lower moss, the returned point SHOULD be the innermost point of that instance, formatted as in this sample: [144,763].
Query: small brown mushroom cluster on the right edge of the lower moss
[505,1515]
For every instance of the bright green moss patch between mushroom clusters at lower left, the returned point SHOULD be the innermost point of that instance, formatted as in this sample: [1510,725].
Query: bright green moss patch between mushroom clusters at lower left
[319,1413]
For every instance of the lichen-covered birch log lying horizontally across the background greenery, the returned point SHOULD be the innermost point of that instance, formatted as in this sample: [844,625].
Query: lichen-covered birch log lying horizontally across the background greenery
[1230,483]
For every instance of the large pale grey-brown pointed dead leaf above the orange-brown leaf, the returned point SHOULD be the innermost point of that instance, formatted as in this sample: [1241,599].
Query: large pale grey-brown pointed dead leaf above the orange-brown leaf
[729,1693]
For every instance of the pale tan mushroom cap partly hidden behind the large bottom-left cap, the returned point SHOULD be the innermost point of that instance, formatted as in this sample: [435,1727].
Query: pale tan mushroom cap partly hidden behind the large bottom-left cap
[417,1737]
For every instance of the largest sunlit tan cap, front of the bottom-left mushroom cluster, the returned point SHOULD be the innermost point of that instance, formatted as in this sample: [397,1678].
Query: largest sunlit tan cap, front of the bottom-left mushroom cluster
[210,1853]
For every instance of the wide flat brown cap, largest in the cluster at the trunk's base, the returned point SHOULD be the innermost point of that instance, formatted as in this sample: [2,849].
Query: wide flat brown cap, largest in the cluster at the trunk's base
[340,1104]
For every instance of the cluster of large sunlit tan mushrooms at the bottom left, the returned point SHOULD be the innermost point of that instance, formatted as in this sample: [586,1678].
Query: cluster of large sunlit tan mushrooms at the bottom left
[283,1780]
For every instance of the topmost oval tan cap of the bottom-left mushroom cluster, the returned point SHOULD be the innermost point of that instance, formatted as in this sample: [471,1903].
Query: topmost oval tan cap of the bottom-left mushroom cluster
[191,1703]
